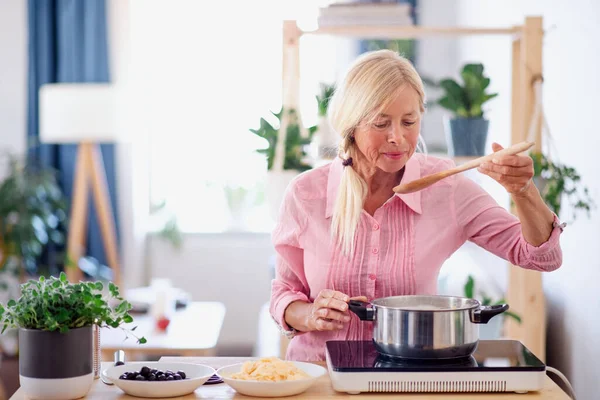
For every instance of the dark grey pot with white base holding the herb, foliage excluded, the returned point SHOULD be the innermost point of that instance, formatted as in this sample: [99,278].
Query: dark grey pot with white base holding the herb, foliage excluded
[54,365]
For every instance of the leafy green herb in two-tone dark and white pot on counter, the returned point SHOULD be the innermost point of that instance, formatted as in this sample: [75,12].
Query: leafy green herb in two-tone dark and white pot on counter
[55,319]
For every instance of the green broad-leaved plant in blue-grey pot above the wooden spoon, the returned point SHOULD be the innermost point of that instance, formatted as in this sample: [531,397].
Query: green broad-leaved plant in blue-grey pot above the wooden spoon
[467,131]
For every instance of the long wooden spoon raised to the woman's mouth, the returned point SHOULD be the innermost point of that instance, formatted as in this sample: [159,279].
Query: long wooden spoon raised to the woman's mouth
[429,180]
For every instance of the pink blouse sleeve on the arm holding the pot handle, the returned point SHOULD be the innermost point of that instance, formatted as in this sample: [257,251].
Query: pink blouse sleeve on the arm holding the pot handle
[290,282]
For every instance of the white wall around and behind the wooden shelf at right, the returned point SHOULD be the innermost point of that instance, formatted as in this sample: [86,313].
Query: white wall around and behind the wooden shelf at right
[571,59]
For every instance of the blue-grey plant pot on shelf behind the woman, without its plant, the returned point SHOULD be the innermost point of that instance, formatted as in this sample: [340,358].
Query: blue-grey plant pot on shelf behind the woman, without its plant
[467,136]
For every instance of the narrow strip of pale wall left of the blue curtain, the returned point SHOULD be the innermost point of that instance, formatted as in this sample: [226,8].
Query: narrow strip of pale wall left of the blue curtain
[13,77]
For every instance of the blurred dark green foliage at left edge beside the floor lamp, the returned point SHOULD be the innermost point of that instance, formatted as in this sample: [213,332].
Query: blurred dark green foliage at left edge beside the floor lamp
[33,213]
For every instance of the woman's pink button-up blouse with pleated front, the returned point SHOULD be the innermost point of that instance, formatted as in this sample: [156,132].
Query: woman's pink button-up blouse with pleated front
[399,250]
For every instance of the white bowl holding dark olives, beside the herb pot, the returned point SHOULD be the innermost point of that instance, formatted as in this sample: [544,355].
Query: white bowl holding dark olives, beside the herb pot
[196,376]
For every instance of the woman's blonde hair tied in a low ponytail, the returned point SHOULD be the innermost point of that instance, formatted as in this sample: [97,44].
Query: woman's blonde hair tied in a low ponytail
[366,90]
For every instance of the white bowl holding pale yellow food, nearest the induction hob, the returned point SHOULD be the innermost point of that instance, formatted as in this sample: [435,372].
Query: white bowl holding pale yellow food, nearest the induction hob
[272,389]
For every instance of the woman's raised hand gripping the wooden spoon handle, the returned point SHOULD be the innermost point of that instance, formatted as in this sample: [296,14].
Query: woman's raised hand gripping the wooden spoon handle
[512,172]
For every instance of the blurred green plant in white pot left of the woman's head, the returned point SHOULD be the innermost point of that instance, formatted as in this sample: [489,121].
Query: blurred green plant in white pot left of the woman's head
[295,155]
